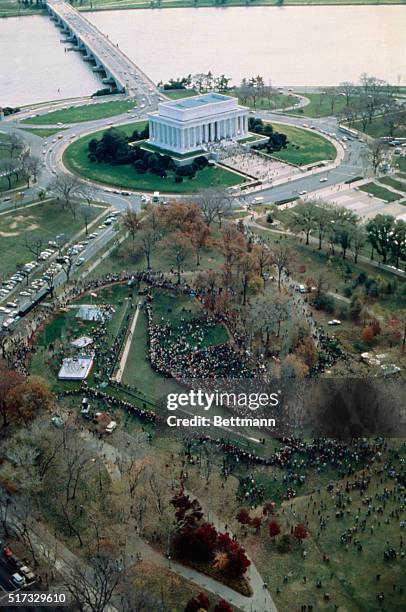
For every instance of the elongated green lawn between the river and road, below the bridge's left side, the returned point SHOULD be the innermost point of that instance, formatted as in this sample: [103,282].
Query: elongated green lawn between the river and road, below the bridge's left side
[85,112]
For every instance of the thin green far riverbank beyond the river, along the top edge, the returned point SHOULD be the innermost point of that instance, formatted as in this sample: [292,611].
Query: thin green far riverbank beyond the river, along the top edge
[11,8]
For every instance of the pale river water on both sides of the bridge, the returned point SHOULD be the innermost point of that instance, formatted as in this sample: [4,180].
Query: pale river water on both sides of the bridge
[287,46]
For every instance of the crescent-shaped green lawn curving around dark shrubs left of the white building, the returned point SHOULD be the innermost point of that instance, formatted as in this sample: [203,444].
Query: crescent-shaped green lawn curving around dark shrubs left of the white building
[76,159]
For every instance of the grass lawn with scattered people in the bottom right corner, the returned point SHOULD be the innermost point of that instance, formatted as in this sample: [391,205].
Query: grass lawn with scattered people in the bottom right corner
[349,576]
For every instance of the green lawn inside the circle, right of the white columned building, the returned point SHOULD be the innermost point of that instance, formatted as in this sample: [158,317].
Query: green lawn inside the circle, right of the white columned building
[304,147]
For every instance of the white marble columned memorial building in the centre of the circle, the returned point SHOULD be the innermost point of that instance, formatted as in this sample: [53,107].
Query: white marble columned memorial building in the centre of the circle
[191,124]
